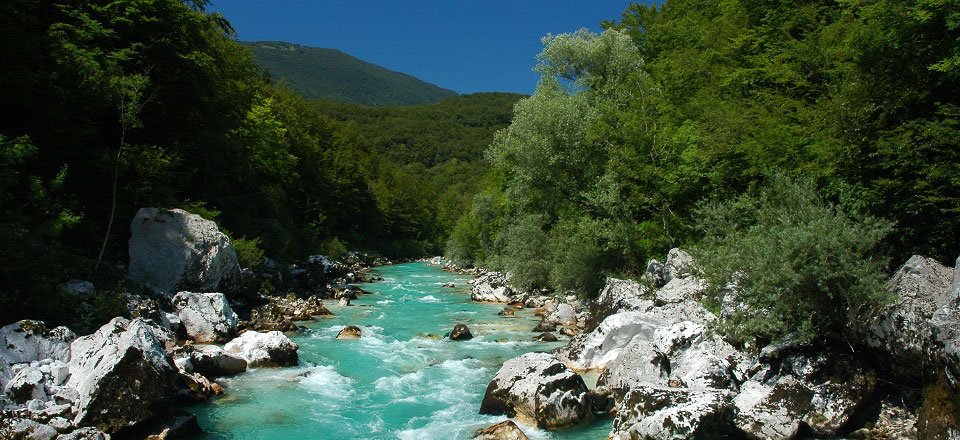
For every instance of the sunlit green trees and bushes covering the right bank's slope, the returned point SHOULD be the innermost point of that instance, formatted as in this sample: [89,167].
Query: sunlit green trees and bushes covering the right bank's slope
[646,137]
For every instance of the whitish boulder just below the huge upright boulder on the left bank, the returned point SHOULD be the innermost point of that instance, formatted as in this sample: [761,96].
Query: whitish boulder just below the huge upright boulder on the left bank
[206,317]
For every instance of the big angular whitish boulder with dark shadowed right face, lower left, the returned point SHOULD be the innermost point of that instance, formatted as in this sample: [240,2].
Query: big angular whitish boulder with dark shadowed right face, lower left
[122,375]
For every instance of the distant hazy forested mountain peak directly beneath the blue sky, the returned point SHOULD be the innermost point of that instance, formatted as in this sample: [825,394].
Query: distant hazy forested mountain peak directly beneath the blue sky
[318,73]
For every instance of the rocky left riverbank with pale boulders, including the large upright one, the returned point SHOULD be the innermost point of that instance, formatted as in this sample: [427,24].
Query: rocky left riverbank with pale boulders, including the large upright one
[123,379]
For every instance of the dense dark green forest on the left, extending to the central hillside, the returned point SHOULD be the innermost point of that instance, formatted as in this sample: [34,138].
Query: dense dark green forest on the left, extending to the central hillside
[113,106]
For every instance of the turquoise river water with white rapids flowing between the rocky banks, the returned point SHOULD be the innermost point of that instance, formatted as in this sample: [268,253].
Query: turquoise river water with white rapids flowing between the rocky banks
[400,380]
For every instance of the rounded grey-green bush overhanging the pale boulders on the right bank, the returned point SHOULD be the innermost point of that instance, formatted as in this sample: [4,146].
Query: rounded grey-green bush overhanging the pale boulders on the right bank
[795,264]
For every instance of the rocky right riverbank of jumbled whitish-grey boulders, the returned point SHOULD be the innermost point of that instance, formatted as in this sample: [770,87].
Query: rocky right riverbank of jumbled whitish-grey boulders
[664,374]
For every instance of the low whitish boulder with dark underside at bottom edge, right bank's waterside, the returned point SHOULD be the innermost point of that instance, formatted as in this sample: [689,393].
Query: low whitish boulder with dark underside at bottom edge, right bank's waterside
[652,412]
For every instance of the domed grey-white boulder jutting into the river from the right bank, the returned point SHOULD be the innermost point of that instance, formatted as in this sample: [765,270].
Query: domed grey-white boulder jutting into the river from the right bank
[539,389]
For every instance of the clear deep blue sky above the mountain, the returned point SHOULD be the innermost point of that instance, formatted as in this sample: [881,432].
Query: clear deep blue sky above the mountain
[464,45]
